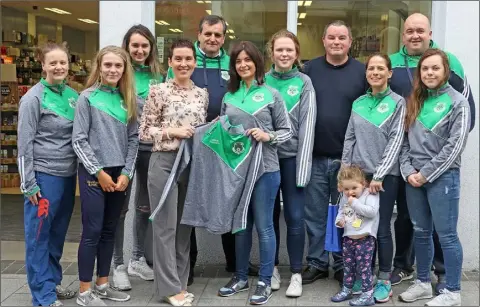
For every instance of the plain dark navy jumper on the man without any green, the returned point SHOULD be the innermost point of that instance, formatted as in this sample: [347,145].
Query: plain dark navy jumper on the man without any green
[336,88]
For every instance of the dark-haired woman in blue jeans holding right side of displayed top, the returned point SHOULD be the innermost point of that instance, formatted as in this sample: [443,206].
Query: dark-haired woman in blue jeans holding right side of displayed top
[261,110]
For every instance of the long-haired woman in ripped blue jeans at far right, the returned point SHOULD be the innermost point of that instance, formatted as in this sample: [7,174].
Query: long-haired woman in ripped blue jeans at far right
[437,123]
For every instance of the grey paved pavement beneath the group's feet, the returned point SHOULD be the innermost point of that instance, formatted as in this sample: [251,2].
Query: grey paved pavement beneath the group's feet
[208,280]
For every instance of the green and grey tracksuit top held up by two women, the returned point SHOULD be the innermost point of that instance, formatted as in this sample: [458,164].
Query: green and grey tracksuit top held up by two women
[224,167]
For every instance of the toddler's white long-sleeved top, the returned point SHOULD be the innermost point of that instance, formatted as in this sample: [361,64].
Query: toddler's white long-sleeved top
[366,209]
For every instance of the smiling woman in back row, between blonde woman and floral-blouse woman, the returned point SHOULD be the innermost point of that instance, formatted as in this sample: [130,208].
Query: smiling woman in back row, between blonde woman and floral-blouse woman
[140,44]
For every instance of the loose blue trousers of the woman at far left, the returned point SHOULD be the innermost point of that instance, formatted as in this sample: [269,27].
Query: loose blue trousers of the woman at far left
[45,234]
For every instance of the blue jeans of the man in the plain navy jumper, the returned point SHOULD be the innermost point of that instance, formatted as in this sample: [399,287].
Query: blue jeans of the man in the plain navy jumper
[321,190]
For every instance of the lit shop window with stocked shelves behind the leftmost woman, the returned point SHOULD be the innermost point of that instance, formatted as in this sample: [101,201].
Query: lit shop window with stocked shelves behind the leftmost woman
[25,26]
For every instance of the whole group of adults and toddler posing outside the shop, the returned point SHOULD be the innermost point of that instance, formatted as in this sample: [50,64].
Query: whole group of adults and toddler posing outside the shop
[365,136]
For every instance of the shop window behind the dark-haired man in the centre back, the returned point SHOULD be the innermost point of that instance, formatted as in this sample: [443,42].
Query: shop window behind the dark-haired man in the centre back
[255,21]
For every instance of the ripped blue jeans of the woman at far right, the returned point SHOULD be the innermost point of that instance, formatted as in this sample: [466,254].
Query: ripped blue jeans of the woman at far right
[436,204]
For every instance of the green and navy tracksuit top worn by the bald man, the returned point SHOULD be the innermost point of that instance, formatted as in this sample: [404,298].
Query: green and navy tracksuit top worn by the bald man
[402,84]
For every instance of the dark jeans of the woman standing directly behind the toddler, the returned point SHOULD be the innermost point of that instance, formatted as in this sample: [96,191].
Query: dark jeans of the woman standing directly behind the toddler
[384,245]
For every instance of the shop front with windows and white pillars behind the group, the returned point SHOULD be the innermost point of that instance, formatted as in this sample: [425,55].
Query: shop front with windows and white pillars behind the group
[376,26]
